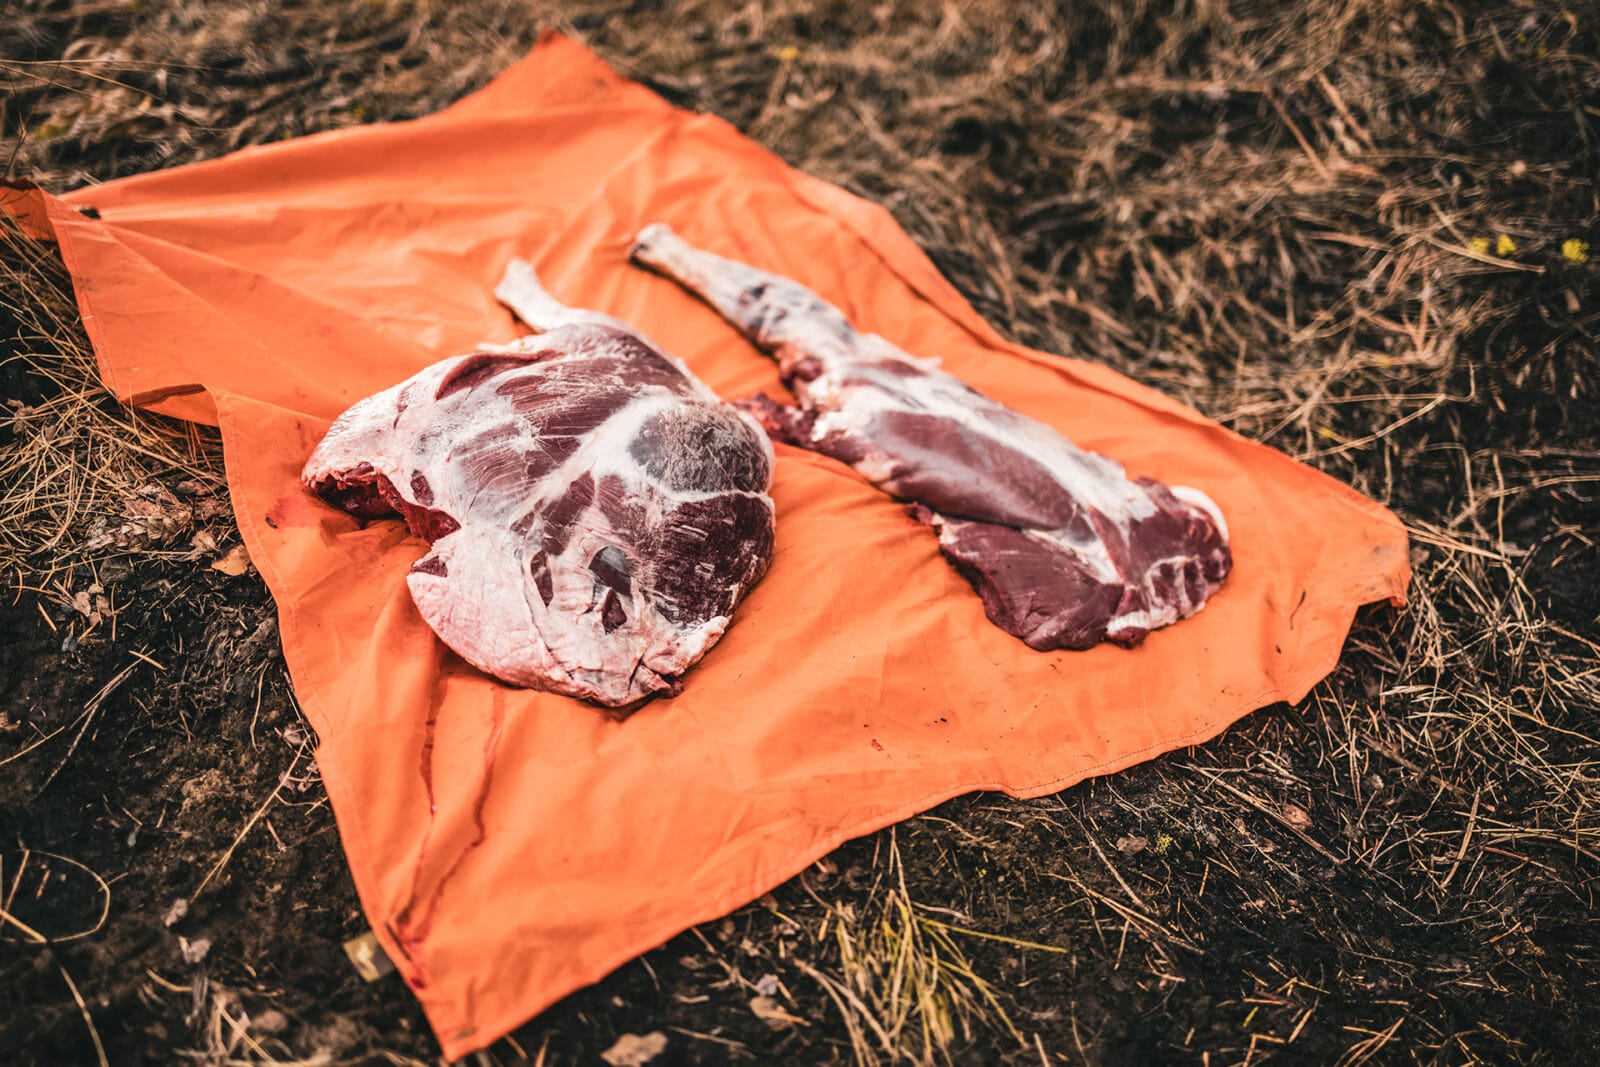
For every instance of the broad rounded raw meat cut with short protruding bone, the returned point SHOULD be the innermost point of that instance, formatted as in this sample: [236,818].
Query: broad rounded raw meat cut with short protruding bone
[596,513]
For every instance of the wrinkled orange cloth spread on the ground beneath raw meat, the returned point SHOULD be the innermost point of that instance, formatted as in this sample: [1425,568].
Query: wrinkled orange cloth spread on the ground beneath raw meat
[511,847]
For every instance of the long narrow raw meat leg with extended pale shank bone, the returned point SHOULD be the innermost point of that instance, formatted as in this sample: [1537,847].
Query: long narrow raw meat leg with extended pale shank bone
[1063,548]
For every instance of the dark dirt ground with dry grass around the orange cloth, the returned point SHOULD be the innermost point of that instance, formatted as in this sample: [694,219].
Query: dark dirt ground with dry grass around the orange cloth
[1354,230]
